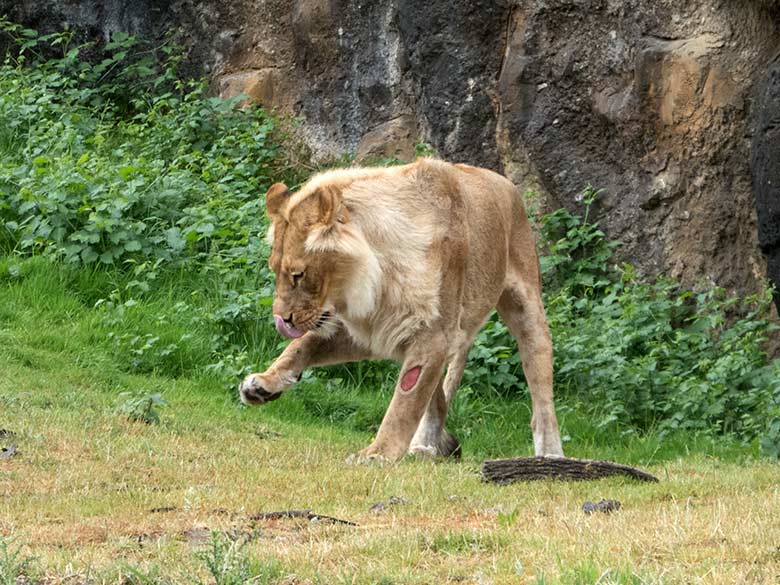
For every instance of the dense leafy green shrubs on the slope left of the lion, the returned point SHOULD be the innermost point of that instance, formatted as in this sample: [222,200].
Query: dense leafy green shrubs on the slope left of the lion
[116,165]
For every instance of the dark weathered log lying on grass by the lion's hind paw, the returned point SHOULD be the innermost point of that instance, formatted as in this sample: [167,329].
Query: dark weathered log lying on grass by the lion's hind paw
[504,471]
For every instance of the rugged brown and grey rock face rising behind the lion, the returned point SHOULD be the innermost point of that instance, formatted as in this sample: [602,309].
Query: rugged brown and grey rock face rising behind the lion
[654,102]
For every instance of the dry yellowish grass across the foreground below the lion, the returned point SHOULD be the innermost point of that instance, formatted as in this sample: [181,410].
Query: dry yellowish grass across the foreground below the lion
[94,494]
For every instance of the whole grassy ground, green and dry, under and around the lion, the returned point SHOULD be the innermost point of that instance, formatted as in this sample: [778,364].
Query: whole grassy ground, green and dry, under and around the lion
[80,495]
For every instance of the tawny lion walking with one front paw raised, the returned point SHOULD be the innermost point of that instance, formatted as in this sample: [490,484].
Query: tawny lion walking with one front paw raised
[406,263]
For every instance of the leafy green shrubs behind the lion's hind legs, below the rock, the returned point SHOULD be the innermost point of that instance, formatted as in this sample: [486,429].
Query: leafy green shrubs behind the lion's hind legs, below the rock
[643,355]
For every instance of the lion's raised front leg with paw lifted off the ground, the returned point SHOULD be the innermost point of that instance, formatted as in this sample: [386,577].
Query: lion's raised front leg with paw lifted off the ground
[302,353]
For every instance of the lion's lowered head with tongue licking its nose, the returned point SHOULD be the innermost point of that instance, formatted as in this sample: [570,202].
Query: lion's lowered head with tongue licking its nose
[323,265]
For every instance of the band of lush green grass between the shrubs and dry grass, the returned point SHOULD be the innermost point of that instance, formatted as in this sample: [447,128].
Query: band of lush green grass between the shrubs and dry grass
[61,300]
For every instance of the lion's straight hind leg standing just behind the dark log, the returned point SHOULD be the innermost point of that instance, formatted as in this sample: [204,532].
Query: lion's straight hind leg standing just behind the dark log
[521,309]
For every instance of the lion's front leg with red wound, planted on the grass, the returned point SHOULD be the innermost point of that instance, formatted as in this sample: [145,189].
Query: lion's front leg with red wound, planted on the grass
[420,376]
